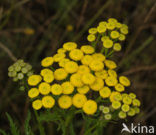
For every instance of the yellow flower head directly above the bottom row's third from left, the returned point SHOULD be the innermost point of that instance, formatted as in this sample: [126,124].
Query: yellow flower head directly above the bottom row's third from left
[68,88]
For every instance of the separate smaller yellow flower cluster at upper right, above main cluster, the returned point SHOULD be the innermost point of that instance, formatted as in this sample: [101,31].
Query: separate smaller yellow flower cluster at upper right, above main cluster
[111,33]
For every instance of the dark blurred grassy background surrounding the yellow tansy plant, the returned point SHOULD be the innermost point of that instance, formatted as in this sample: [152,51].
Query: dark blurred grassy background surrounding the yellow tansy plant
[53,22]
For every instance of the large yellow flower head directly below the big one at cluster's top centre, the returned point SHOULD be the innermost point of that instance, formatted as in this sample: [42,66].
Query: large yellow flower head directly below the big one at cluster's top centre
[71,67]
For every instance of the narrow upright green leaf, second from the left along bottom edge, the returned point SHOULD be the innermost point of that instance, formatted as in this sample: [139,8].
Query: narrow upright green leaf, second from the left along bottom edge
[27,128]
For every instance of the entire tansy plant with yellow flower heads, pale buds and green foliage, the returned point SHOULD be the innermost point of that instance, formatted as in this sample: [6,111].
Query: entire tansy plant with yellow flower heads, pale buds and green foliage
[85,82]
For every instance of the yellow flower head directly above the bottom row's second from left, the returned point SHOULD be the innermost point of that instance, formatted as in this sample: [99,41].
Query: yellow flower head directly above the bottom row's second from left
[44,88]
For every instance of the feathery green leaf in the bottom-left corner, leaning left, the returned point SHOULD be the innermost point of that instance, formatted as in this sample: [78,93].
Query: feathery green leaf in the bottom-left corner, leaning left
[13,127]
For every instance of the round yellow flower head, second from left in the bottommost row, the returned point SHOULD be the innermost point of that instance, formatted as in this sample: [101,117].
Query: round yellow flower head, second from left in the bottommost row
[48,101]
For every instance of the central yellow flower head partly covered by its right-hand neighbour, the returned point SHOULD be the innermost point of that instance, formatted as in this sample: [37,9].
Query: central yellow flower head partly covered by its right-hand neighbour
[75,80]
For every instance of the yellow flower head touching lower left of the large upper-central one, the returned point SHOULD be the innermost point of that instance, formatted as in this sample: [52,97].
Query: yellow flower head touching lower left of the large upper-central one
[60,74]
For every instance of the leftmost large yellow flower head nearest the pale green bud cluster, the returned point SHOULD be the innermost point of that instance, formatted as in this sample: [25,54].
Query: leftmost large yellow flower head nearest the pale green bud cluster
[33,80]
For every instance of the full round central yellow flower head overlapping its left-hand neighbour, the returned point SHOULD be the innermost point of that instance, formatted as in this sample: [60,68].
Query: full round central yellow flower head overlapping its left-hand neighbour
[88,78]
